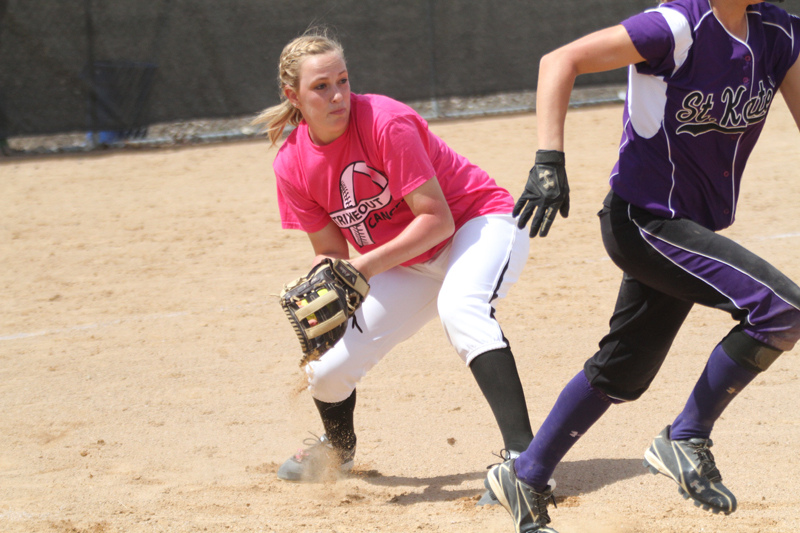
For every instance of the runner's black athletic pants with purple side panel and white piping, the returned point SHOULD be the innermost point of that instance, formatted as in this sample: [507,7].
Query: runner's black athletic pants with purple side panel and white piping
[669,265]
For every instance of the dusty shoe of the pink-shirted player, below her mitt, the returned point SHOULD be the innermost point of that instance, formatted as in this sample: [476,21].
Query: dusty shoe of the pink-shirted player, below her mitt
[318,462]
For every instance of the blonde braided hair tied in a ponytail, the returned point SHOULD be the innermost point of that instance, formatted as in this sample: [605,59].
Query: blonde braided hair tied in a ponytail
[313,42]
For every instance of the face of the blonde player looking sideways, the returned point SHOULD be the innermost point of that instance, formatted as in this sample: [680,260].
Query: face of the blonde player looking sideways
[323,96]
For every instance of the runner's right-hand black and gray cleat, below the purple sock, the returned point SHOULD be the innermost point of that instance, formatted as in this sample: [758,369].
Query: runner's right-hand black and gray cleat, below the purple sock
[691,465]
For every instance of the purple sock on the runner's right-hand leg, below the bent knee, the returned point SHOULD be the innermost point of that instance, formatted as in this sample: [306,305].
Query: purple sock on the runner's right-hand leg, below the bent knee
[721,381]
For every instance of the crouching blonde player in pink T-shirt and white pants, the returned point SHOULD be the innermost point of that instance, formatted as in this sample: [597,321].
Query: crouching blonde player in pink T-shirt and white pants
[433,234]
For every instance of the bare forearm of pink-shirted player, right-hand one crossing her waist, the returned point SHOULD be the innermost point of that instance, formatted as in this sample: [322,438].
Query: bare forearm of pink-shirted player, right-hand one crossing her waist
[424,232]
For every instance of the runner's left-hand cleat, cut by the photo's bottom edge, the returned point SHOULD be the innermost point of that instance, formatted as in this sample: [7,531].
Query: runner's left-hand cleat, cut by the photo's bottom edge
[527,507]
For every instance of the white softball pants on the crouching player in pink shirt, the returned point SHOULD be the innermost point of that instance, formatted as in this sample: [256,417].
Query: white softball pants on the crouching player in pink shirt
[482,261]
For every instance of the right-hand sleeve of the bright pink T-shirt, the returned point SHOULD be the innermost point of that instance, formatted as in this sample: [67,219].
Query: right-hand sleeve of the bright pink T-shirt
[404,144]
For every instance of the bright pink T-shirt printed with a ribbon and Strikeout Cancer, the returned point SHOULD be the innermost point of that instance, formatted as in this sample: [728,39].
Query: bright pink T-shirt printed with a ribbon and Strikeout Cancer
[359,180]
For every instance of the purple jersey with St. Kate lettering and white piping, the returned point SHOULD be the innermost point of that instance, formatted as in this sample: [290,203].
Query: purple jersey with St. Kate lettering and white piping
[695,108]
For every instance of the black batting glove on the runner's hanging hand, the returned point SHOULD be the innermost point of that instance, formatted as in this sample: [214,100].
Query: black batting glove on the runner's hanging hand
[547,192]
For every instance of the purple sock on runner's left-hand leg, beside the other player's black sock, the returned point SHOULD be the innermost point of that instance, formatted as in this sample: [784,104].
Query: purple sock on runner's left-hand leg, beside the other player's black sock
[578,407]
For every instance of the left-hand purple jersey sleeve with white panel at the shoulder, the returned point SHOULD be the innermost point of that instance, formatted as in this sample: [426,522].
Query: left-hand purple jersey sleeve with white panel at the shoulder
[662,37]
